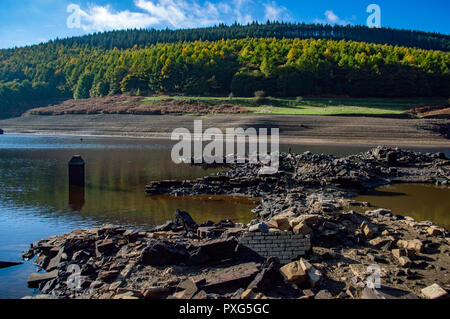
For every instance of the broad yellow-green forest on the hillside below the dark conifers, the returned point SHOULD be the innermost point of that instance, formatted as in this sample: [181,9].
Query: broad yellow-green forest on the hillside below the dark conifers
[280,67]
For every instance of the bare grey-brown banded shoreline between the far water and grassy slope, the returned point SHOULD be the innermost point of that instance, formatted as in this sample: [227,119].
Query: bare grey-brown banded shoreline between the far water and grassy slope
[336,130]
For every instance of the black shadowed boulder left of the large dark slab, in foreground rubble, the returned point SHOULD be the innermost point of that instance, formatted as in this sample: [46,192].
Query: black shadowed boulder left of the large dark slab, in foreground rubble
[163,253]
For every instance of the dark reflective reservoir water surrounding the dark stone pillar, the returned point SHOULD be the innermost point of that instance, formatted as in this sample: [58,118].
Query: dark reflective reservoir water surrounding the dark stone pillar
[36,202]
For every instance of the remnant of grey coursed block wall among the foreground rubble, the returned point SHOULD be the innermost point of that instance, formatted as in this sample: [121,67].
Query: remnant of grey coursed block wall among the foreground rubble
[287,246]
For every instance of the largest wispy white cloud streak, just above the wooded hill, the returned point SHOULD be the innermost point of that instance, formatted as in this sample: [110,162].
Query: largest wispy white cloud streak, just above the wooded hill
[174,14]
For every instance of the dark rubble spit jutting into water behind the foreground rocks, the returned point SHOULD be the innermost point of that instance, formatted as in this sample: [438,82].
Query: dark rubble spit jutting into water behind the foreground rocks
[356,172]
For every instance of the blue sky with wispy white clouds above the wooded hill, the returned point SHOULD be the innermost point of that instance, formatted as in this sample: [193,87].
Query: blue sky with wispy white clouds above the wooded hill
[26,22]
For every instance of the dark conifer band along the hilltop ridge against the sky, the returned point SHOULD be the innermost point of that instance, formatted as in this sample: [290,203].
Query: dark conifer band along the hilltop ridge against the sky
[126,39]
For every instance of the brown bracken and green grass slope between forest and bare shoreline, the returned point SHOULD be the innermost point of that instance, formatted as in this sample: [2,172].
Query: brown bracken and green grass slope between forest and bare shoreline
[178,105]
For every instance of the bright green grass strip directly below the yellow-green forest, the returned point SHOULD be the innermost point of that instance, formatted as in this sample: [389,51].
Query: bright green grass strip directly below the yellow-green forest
[313,106]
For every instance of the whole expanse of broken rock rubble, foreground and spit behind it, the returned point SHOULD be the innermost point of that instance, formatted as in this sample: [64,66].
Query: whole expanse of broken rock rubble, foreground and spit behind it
[308,239]
